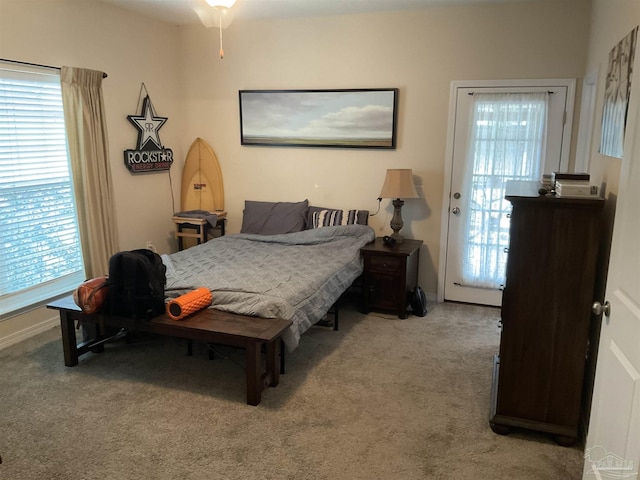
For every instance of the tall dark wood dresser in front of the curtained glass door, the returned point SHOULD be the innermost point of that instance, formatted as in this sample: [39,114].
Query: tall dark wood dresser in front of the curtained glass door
[546,311]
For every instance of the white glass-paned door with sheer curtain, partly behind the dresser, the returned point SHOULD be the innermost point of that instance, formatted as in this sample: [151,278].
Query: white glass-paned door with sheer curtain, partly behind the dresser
[532,139]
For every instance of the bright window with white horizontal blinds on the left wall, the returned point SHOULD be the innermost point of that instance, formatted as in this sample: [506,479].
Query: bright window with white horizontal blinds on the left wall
[40,254]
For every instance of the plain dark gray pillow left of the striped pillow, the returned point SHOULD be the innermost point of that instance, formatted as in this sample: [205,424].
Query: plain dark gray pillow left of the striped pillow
[272,218]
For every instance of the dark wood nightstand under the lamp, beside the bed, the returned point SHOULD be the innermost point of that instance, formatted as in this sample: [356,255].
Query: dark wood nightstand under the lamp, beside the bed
[390,273]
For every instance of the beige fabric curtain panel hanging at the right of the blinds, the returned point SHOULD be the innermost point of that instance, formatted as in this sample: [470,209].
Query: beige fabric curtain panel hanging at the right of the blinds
[88,150]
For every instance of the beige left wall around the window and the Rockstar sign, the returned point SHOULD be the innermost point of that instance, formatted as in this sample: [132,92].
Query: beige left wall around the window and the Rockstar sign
[132,50]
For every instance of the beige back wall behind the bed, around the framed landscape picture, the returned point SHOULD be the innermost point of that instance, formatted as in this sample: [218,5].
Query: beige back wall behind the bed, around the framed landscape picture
[418,52]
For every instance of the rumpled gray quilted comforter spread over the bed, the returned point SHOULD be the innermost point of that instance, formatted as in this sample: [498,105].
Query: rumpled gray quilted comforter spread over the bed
[296,276]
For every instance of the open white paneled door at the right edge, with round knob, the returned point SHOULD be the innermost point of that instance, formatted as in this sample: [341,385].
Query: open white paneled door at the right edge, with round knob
[613,441]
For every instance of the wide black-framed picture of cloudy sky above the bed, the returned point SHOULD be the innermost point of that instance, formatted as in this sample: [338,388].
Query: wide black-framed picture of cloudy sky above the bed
[354,118]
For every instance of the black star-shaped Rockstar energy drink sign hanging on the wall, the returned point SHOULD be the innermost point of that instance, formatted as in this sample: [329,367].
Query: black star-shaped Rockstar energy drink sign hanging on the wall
[150,155]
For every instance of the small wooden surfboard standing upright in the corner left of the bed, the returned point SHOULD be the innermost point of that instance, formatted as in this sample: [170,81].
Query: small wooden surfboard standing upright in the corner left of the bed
[202,187]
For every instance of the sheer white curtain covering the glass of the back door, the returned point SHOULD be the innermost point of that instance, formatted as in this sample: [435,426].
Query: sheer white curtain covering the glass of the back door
[507,142]
